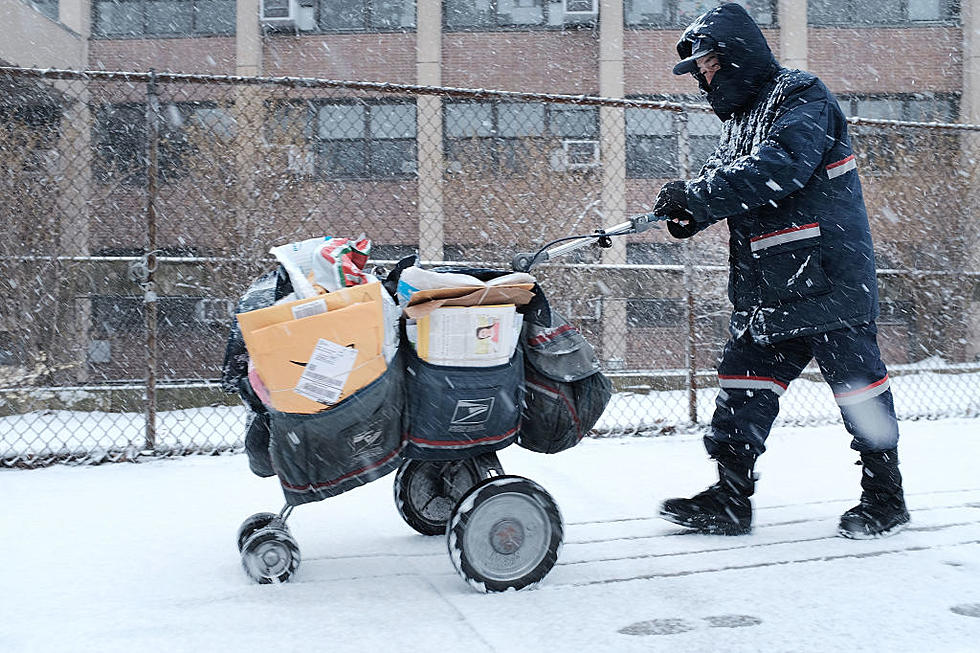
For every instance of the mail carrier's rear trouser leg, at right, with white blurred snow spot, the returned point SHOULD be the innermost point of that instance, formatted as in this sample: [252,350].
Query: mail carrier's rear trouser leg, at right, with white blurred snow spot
[851,364]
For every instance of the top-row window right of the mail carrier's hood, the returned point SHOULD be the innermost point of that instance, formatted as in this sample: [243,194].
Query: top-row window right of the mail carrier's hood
[880,12]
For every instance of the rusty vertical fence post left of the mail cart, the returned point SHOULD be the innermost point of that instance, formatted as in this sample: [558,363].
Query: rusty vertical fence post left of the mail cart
[149,288]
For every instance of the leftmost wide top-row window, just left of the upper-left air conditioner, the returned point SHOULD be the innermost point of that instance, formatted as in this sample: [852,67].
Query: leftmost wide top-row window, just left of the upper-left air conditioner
[136,18]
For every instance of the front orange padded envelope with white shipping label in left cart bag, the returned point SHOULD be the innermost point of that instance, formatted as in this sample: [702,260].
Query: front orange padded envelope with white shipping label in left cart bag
[313,362]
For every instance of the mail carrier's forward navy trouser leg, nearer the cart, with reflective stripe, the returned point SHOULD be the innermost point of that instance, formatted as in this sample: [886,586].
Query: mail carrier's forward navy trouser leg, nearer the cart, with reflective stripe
[751,378]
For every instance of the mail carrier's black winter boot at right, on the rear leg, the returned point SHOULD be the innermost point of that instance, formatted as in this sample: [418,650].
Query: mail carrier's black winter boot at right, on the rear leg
[882,510]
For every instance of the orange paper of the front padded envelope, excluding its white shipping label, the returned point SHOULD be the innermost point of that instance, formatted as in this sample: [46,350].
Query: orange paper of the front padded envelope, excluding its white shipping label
[281,351]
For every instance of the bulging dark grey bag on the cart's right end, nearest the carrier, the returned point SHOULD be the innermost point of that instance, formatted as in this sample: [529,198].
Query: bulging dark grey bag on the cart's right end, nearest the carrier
[566,392]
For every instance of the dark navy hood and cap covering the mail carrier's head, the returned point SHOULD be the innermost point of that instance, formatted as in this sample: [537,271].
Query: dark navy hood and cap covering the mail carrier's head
[747,63]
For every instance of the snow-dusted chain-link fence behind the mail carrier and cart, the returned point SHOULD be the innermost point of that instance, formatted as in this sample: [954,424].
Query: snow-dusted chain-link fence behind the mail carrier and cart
[135,208]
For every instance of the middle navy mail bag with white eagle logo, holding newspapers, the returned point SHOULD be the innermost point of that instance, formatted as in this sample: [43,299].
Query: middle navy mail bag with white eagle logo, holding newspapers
[459,412]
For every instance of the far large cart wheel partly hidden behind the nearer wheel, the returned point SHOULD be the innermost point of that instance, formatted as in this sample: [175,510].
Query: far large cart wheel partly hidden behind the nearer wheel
[426,491]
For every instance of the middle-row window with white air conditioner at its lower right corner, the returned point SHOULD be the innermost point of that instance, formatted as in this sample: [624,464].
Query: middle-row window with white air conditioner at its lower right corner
[510,137]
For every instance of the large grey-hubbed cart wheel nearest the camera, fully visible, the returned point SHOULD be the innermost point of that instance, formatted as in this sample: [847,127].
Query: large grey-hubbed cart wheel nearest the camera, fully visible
[504,534]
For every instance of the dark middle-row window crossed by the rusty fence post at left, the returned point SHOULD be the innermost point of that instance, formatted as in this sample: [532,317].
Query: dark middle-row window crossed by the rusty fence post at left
[121,138]
